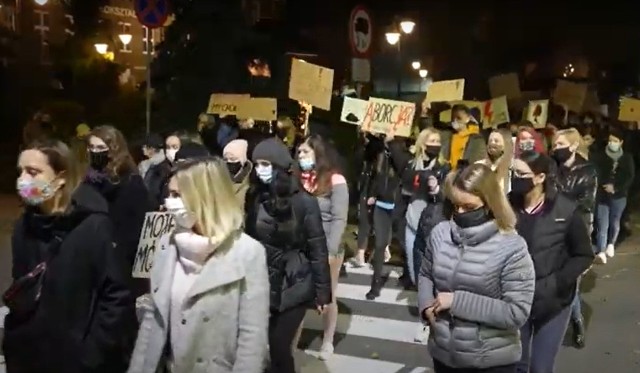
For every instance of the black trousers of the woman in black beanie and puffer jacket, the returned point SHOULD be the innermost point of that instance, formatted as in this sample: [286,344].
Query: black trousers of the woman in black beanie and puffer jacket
[283,327]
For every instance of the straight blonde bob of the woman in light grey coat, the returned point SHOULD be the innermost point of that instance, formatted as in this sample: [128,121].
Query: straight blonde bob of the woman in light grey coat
[207,191]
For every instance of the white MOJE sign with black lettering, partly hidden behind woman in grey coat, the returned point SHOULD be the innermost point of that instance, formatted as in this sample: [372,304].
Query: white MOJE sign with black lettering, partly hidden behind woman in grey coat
[156,224]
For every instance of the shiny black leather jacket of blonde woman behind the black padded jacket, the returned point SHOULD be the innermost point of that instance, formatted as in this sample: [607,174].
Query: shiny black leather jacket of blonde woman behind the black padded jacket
[580,183]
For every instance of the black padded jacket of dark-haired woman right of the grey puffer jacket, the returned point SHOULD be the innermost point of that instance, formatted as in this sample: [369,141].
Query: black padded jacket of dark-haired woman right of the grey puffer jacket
[560,247]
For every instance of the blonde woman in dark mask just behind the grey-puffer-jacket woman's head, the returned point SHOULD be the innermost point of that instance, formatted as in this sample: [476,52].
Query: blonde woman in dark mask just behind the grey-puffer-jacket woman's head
[499,156]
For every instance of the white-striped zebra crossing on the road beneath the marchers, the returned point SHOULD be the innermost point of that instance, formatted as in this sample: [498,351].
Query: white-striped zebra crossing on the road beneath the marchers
[371,336]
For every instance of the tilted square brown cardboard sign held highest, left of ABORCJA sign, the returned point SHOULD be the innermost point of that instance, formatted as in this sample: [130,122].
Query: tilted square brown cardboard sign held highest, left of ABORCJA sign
[311,83]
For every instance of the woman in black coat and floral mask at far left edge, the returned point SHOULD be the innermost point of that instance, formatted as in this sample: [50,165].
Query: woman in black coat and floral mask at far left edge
[76,320]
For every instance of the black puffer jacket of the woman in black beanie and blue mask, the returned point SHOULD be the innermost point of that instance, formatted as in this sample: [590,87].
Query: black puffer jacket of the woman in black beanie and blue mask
[291,232]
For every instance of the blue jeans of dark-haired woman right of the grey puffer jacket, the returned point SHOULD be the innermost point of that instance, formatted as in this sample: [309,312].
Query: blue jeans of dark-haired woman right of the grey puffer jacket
[540,345]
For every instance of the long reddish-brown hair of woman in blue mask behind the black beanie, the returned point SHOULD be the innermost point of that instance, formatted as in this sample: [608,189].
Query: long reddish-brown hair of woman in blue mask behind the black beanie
[327,163]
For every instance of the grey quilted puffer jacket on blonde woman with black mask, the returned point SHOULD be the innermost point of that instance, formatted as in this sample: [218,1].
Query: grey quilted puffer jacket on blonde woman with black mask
[492,279]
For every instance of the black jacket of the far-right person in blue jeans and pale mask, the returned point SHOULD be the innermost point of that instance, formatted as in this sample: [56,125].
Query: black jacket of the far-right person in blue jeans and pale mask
[620,174]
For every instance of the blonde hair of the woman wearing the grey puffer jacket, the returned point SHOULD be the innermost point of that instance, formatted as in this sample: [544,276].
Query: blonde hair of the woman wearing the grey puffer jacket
[481,181]
